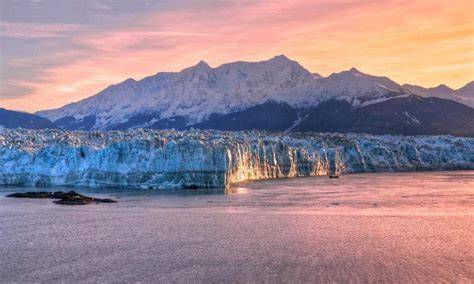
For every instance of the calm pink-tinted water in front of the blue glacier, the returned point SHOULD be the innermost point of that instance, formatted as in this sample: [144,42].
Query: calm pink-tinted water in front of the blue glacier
[398,227]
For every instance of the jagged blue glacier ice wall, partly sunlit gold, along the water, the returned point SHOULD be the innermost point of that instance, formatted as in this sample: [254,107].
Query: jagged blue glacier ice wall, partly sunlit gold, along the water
[166,159]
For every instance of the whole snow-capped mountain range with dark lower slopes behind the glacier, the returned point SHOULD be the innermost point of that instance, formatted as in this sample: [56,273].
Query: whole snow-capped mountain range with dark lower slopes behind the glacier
[276,95]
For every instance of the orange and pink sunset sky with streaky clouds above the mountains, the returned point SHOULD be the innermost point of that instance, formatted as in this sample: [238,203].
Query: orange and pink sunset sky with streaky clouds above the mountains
[53,52]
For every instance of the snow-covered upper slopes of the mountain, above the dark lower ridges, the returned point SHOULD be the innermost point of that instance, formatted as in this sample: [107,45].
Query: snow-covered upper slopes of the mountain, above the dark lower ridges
[198,91]
